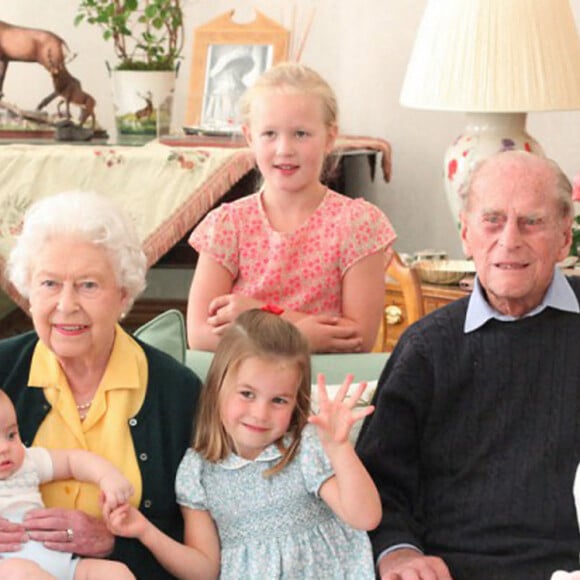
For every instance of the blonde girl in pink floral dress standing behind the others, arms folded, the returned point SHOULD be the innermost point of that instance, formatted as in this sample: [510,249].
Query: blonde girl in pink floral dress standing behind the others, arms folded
[316,256]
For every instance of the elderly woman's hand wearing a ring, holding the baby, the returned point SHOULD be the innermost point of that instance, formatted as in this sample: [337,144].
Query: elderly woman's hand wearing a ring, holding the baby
[69,531]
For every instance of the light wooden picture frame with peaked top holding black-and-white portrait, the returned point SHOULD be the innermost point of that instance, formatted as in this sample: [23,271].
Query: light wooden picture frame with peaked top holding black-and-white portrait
[227,58]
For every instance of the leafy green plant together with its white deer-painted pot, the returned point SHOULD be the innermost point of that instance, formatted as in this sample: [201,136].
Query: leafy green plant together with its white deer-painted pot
[147,37]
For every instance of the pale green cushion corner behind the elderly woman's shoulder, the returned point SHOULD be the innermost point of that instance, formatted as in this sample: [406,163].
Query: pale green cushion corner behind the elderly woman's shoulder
[167,333]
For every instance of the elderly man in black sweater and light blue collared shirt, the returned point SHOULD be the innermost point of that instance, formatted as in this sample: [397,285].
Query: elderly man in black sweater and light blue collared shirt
[476,434]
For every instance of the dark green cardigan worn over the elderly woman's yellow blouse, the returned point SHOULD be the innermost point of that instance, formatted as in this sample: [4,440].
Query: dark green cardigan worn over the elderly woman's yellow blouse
[161,432]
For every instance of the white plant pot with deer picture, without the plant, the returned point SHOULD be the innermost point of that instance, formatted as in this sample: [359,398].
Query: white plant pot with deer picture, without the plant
[143,102]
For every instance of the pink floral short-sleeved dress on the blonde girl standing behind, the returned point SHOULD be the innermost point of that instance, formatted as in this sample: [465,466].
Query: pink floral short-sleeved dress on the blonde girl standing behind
[301,270]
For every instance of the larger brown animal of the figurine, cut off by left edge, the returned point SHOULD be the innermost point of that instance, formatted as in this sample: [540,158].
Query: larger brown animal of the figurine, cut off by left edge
[30,45]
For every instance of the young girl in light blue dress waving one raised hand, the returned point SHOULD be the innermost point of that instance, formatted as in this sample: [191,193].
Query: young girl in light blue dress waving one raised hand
[267,491]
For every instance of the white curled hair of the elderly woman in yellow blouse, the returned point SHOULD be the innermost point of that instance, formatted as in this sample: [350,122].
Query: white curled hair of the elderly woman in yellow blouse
[94,218]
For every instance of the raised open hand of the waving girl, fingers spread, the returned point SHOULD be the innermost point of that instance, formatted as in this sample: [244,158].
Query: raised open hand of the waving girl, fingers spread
[337,416]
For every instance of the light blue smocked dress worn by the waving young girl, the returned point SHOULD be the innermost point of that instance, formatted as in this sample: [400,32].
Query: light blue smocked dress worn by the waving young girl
[275,527]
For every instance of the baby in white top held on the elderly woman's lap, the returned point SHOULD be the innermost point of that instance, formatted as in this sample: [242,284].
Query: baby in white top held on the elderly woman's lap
[22,470]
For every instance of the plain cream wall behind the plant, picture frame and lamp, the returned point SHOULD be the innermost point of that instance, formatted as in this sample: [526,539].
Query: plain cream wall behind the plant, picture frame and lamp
[362,48]
